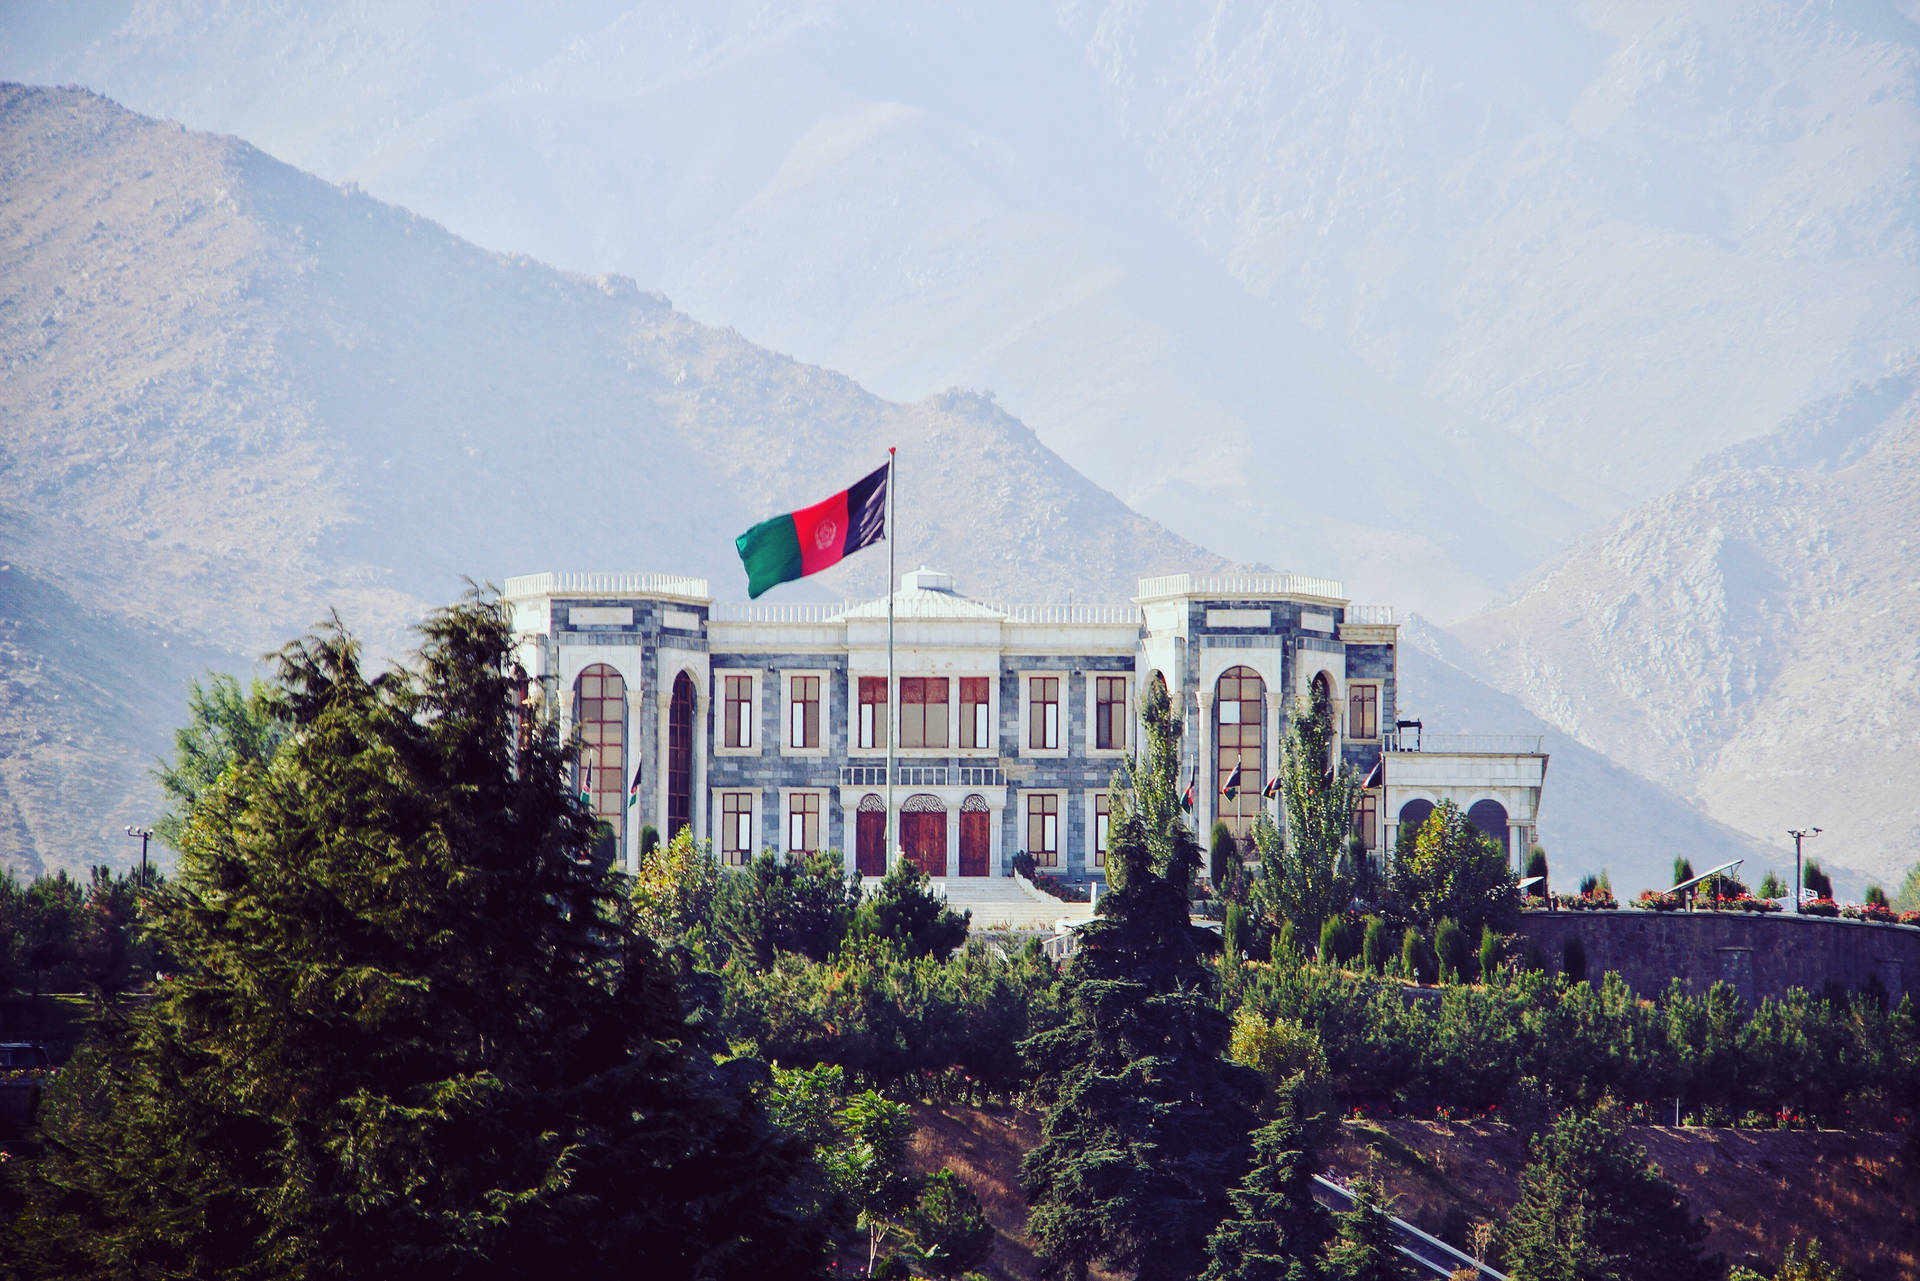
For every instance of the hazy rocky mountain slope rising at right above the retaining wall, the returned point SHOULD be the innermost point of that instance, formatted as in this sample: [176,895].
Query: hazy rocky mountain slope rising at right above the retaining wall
[1752,637]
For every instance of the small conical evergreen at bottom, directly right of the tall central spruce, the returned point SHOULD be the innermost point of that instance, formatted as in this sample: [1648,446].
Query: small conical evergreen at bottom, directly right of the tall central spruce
[1276,1230]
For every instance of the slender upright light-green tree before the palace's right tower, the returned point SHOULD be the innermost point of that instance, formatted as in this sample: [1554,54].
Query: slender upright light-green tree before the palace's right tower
[1307,875]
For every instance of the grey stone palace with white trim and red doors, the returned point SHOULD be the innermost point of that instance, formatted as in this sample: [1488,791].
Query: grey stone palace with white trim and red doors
[767,727]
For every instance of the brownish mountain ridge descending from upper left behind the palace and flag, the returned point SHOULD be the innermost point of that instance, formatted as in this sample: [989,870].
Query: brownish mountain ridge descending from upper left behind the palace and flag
[237,397]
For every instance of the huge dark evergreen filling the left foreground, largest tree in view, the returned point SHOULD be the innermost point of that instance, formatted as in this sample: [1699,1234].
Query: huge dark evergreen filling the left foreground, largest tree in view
[414,1028]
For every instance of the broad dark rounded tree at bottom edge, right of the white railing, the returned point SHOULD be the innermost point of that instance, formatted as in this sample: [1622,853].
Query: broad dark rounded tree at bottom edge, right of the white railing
[1595,1209]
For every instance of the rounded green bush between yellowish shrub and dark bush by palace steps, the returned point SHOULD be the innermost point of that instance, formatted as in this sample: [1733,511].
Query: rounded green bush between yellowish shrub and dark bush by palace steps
[779,906]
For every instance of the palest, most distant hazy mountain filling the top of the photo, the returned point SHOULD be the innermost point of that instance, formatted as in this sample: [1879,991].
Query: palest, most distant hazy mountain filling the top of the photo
[1399,295]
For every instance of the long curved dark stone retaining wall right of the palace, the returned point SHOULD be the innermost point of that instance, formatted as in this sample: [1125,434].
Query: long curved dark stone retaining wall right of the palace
[1760,955]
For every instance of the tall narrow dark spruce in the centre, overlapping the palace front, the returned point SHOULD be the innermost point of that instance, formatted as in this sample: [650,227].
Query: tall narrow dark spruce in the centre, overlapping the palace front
[1145,1123]
